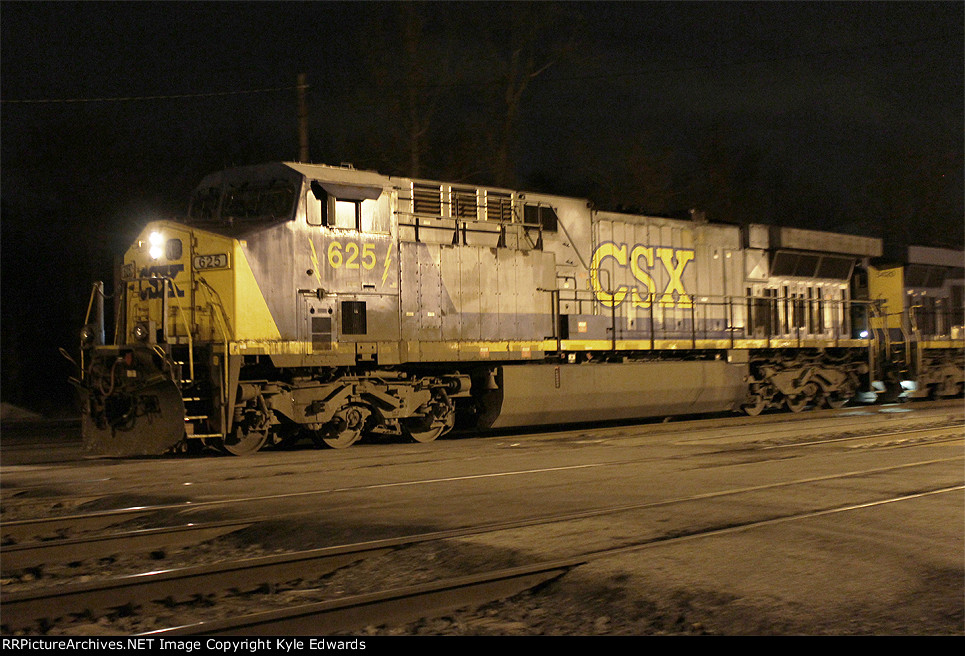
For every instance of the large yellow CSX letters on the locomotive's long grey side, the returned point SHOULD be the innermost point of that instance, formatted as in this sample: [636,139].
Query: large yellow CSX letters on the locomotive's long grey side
[641,259]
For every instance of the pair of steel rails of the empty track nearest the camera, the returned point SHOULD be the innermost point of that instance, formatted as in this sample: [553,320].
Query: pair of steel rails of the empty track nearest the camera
[42,607]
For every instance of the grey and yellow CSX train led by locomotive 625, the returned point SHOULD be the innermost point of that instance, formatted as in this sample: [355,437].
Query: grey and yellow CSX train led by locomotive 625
[302,300]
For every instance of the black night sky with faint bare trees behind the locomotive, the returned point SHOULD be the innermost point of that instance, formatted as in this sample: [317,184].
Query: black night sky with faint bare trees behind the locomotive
[836,116]
